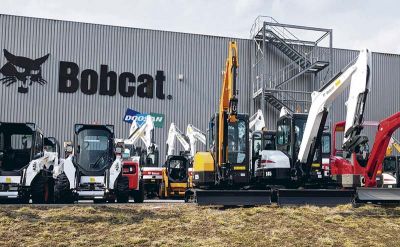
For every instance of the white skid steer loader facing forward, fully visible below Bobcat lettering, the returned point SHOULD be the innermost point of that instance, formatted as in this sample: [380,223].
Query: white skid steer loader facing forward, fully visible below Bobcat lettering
[93,169]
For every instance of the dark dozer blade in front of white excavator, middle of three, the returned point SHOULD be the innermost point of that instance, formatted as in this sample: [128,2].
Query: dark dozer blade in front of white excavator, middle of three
[318,197]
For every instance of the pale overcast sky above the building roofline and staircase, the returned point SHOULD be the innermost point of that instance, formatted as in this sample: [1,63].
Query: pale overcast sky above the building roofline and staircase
[356,24]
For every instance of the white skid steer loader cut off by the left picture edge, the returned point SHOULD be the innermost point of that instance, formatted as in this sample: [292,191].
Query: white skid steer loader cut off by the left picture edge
[25,167]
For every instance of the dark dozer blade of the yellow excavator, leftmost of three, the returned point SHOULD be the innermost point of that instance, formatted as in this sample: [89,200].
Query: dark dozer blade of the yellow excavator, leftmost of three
[233,197]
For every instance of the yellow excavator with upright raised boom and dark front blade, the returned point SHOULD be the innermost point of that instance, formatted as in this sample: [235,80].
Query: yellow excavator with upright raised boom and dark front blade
[221,176]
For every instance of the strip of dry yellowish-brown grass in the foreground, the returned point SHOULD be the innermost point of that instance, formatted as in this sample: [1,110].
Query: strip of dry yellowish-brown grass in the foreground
[191,225]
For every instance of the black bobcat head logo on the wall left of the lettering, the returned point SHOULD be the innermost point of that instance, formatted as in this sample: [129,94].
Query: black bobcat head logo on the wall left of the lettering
[22,69]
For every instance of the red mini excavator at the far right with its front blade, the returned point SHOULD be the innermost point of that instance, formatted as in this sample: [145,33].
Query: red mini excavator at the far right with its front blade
[363,166]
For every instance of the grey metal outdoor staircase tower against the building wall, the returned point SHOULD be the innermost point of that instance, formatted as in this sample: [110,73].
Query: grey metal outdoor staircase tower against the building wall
[304,59]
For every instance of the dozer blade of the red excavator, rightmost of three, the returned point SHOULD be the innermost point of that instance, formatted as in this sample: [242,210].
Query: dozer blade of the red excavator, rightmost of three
[378,195]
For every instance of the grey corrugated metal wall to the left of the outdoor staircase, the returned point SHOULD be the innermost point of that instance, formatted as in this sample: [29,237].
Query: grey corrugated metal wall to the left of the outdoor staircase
[201,60]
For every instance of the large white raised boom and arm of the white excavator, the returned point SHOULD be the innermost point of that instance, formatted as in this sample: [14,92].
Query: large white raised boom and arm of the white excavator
[357,76]
